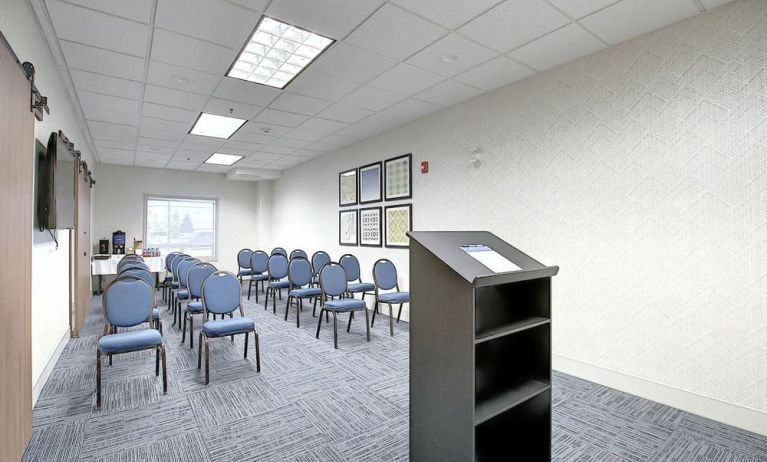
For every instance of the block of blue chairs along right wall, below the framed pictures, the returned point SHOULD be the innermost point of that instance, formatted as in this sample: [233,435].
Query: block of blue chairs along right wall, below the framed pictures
[304,280]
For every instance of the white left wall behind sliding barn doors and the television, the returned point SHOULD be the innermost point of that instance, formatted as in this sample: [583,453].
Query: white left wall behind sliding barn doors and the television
[50,266]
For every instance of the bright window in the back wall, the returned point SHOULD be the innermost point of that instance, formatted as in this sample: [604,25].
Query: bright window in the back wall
[175,224]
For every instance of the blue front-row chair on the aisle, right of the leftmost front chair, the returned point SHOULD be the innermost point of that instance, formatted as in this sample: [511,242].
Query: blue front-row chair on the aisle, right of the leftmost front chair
[221,295]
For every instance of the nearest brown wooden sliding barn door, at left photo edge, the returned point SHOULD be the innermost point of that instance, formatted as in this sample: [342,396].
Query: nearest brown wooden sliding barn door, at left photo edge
[17,146]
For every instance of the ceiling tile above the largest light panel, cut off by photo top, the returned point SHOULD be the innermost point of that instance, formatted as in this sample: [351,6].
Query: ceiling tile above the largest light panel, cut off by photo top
[331,18]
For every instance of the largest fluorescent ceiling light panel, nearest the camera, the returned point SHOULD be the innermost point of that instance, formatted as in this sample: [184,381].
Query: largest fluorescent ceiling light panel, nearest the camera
[276,53]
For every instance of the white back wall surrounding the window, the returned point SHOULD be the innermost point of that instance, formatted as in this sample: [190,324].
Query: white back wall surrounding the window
[119,204]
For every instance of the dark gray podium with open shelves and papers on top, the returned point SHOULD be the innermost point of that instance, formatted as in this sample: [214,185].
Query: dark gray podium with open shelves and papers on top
[480,349]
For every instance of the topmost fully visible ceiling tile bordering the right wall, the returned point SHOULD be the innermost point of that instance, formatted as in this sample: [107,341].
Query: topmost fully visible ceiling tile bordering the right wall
[563,45]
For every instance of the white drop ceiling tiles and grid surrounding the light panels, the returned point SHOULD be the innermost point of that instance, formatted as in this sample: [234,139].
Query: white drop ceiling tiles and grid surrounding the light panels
[143,70]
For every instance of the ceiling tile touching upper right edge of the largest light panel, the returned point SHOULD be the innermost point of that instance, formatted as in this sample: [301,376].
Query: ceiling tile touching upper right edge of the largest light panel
[352,63]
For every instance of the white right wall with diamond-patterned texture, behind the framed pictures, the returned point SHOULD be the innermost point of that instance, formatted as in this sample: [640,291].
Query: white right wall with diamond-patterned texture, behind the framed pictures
[640,170]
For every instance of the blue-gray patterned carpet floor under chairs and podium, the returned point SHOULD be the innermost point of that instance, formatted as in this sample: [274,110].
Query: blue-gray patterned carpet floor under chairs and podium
[313,403]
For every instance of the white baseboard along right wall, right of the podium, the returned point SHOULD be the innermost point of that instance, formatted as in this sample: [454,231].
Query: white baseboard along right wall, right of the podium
[714,409]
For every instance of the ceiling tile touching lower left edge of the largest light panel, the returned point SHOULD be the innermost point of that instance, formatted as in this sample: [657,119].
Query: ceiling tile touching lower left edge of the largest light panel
[172,48]
